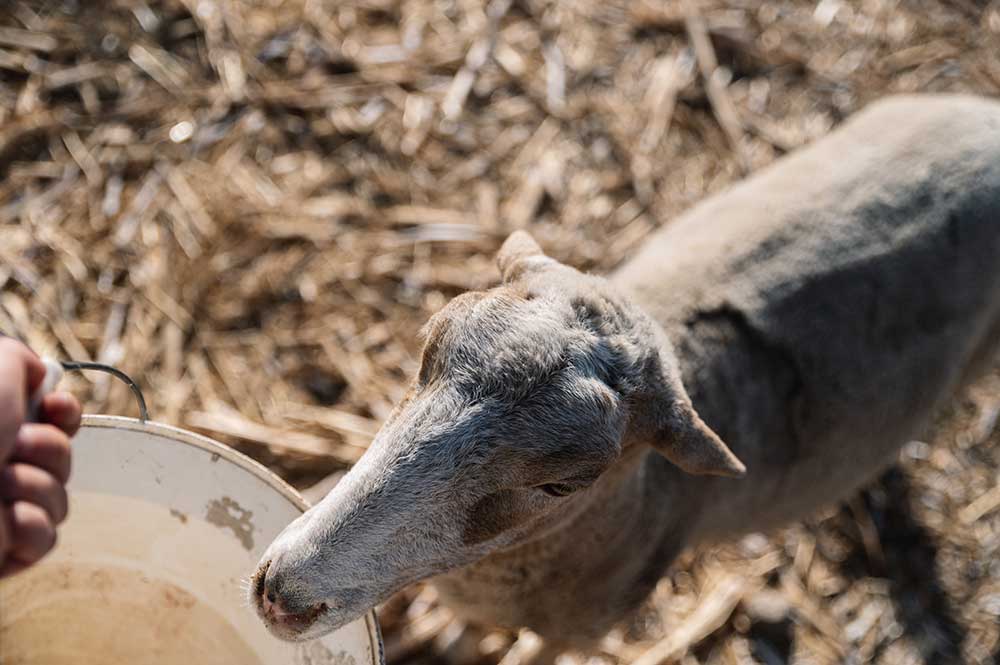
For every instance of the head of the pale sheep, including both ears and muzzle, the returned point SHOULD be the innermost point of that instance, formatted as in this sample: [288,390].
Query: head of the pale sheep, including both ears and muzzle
[526,395]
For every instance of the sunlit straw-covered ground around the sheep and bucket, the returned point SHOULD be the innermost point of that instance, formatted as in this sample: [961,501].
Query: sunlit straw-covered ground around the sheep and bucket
[252,207]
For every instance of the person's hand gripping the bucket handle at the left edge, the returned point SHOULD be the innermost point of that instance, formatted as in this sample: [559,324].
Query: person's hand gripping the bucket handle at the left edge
[34,459]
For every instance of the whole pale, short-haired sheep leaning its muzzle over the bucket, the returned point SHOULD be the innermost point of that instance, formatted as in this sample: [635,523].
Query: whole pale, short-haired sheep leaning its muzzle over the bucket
[568,435]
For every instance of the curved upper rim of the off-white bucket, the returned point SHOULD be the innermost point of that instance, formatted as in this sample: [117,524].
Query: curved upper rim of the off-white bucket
[195,440]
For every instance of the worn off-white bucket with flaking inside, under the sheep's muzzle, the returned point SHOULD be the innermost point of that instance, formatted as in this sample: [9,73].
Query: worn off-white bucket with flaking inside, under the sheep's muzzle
[164,526]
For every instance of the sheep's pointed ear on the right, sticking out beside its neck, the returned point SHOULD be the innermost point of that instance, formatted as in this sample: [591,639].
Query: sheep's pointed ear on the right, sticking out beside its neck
[688,442]
